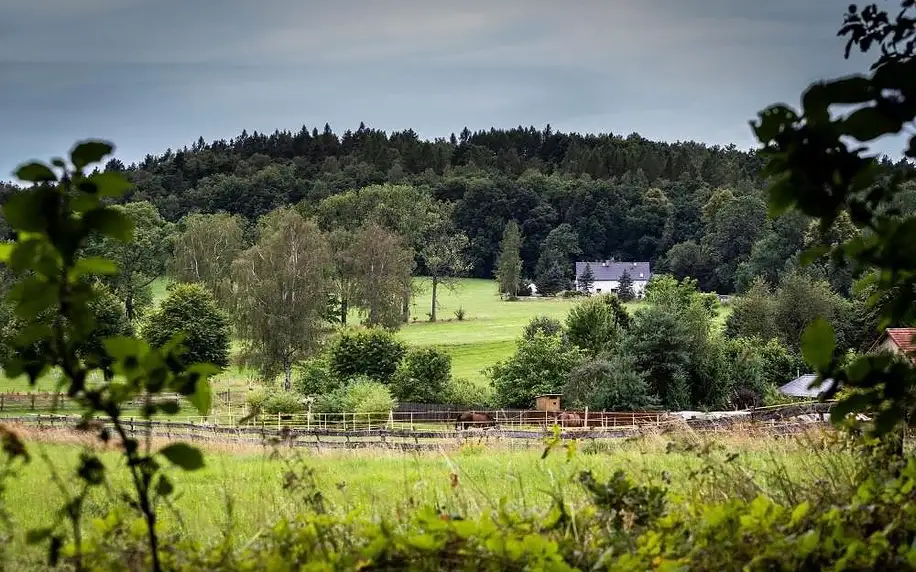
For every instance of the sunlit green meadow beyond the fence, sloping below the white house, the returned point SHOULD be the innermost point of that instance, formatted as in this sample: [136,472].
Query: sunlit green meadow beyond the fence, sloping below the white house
[486,335]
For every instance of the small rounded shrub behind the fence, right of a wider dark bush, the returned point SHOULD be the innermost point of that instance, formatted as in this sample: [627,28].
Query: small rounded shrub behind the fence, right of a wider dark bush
[423,375]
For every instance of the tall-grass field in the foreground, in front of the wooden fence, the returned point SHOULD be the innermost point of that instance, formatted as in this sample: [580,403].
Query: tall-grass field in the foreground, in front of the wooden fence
[382,484]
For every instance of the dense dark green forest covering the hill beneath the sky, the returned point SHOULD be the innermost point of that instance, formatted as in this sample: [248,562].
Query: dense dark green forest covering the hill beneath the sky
[690,209]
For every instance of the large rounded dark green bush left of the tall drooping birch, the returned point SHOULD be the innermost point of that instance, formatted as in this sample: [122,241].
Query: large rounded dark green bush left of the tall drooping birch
[191,309]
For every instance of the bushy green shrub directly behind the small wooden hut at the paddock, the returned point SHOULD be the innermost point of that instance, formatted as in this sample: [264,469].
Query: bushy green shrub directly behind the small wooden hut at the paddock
[540,365]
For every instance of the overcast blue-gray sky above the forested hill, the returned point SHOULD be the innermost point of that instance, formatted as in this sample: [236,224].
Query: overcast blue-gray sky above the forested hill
[152,74]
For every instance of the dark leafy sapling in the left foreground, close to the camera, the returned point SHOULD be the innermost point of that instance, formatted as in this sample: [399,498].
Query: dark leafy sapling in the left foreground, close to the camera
[53,219]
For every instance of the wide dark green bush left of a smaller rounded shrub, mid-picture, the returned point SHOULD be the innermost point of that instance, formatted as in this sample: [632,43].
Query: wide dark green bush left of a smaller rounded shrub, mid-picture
[373,353]
